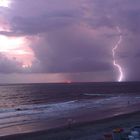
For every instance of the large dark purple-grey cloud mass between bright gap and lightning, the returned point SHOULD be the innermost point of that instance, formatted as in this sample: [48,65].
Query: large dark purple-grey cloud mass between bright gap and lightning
[72,50]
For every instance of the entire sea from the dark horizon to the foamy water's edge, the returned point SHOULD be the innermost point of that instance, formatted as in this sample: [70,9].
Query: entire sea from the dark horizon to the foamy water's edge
[24,106]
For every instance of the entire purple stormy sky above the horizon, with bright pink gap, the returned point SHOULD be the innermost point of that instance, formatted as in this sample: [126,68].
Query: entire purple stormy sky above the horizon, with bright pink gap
[69,41]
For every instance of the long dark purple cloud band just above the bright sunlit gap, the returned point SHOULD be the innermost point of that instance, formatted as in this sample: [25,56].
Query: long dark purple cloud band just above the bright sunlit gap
[42,24]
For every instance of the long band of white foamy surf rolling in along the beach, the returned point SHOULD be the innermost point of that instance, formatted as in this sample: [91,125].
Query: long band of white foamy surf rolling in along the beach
[32,113]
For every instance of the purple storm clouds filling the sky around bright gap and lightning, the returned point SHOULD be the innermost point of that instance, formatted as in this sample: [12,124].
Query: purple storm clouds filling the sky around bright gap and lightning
[77,36]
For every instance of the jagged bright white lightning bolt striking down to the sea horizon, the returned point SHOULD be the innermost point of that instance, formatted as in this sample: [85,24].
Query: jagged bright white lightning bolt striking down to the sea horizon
[120,78]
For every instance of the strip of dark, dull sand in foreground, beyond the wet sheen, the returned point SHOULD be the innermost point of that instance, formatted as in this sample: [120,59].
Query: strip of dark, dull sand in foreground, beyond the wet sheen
[83,131]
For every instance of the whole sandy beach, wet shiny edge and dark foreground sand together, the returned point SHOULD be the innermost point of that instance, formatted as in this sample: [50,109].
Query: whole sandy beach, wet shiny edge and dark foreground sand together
[83,125]
